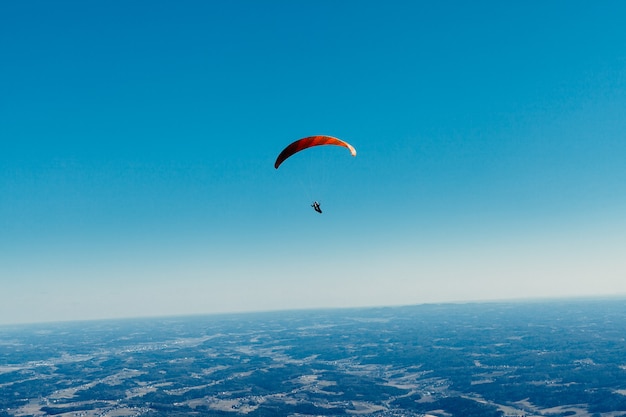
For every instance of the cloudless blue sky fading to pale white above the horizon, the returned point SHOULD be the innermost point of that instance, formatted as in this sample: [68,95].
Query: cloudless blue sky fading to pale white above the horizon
[137,142]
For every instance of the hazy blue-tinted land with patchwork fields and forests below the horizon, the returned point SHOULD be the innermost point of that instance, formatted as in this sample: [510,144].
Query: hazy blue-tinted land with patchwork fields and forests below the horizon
[549,358]
